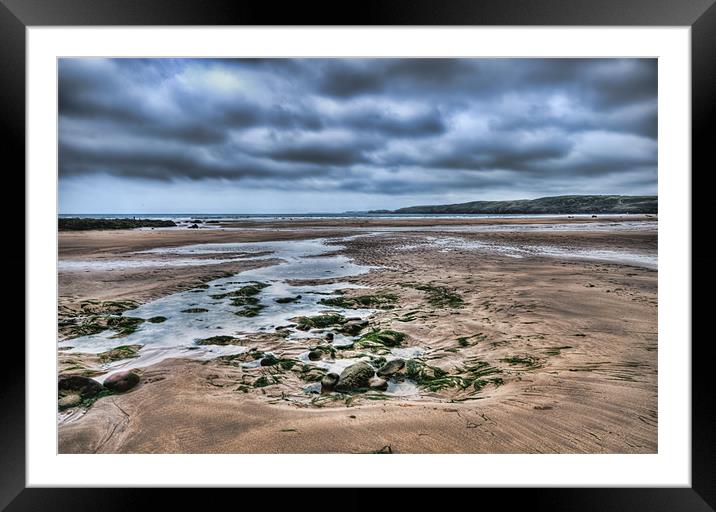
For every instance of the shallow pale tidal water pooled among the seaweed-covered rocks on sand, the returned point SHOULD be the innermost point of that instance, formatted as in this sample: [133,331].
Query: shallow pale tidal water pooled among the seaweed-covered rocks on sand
[177,336]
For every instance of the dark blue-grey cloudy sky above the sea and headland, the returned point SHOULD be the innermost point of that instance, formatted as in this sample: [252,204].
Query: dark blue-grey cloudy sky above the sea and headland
[331,135]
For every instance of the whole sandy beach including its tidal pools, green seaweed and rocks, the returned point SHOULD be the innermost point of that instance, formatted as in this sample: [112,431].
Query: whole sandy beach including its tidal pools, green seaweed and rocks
[519,335]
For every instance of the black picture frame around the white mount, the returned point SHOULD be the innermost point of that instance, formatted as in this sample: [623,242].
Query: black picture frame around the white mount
[700,15]
